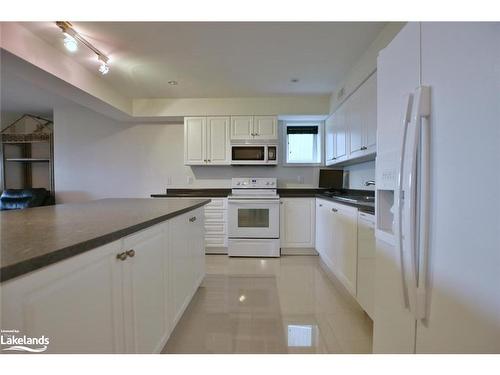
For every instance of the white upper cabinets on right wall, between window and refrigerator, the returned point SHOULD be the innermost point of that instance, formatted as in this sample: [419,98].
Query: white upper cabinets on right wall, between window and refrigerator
[352,131]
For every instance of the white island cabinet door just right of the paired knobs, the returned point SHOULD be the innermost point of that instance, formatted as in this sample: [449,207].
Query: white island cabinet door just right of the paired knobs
[145,315]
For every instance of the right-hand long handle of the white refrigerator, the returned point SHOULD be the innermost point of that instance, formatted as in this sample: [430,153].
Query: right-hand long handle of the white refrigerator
[423,112]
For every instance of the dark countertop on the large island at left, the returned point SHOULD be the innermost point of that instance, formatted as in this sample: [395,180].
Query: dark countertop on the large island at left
[36,237]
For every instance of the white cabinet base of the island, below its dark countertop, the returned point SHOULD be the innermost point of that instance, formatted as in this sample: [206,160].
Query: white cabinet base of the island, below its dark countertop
[122,297]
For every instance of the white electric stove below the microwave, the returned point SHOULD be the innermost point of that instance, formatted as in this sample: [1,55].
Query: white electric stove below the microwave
[253,218]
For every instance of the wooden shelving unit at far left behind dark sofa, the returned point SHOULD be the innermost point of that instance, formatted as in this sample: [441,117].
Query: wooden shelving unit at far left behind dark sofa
[27,152]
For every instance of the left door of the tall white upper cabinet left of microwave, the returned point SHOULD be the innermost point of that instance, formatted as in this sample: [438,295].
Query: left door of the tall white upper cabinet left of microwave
[195,141]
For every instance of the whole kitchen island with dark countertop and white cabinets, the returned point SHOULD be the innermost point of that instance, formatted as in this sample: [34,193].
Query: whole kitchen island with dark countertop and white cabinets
[107,276]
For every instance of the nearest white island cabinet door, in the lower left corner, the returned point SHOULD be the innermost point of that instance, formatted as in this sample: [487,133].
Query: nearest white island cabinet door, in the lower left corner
[76,303]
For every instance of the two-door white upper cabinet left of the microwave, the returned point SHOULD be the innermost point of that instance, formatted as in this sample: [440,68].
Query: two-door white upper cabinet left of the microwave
[206,141]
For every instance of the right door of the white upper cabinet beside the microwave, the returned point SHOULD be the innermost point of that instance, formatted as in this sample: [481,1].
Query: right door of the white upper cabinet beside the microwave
[218,146]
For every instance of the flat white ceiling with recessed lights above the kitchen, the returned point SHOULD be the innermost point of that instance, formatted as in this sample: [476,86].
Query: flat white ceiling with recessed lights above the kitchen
[213,59]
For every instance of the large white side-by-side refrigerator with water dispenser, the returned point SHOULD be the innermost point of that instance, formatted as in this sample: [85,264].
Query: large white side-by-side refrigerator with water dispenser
[437,286]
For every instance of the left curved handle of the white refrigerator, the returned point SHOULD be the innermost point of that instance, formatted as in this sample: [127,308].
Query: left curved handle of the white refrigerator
[399,222]
